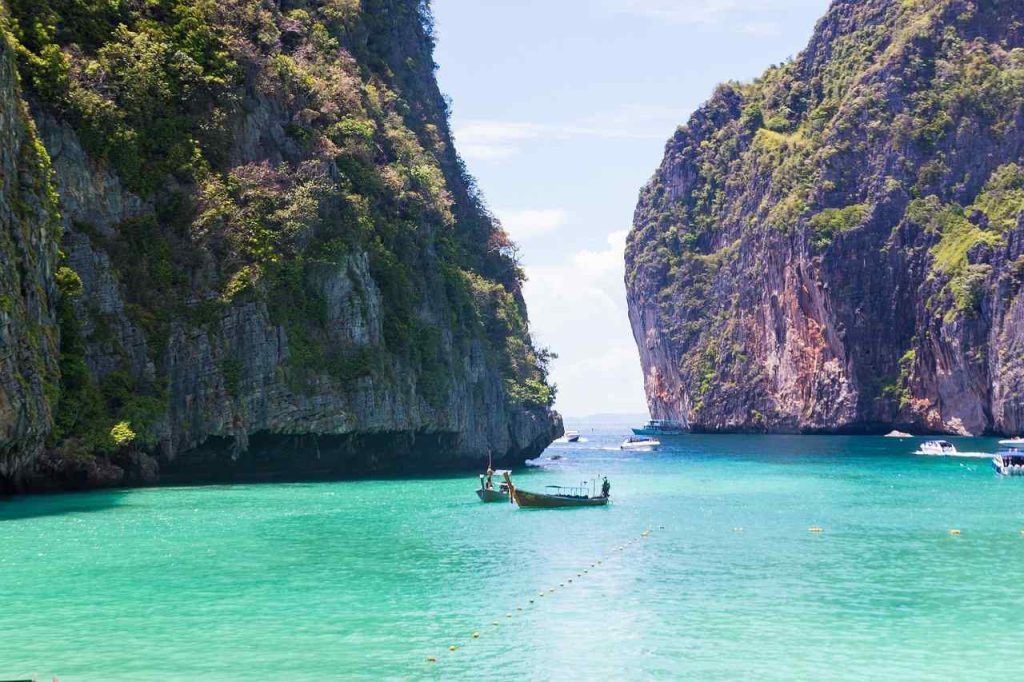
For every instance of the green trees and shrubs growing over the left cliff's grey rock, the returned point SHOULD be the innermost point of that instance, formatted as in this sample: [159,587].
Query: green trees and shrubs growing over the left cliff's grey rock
[271,147]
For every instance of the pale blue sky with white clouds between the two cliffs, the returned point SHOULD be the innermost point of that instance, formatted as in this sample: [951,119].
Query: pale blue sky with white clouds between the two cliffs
[562,110]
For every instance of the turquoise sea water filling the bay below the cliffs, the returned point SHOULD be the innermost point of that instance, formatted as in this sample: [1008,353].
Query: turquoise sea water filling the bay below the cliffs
[365,580]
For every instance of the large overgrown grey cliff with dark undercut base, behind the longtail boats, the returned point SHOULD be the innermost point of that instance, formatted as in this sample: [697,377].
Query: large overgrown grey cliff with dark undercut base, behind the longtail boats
[283,265]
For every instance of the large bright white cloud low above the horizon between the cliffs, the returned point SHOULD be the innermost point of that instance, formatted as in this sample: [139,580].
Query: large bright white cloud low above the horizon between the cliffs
[578,308]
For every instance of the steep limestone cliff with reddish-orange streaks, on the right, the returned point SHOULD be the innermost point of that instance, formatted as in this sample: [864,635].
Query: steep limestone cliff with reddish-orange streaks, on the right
[839,246]
